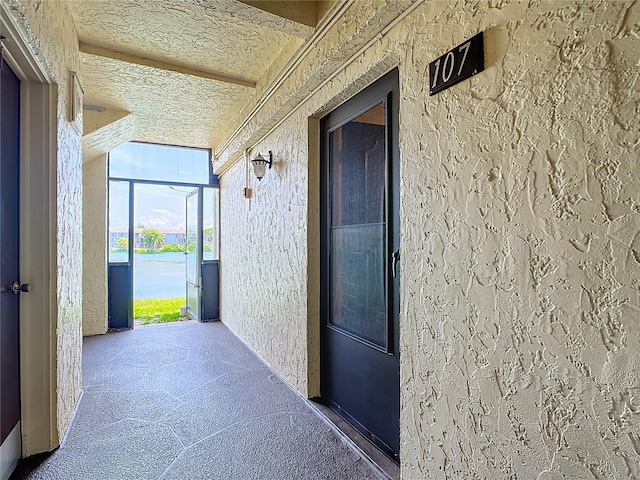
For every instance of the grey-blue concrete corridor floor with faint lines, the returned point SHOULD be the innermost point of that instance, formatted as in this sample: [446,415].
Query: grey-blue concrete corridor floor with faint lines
[190,401]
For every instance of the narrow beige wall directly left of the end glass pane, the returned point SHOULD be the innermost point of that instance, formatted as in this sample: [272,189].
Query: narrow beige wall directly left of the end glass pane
[94,246]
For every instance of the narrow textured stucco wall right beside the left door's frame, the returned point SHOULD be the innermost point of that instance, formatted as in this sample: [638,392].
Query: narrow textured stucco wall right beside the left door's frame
[51,32]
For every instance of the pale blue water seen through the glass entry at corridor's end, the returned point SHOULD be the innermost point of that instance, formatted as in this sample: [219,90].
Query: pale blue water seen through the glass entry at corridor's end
[158,275]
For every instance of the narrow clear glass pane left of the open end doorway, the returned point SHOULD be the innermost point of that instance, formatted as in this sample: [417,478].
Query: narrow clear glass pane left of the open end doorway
[118,222]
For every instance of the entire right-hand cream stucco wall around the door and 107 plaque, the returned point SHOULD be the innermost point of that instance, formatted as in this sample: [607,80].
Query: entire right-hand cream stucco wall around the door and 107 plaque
[520,232]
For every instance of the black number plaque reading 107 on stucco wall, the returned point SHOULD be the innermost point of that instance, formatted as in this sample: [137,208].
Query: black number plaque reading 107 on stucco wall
[456,65]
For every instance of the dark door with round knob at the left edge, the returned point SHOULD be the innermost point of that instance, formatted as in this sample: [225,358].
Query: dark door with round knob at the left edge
[10,437]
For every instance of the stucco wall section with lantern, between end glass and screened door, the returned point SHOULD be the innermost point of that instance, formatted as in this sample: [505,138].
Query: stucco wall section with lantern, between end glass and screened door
[263,283]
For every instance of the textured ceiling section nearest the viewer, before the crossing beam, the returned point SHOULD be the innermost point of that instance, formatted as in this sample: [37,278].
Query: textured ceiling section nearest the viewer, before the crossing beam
[210,26]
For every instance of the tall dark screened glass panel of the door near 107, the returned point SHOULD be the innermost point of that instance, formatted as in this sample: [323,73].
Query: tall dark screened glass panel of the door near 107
[357,164]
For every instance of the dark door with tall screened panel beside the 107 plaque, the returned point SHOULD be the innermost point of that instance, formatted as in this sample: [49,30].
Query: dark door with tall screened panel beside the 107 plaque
[360,242]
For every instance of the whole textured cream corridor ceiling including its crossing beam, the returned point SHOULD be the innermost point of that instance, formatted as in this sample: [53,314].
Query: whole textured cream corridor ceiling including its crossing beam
[185,68]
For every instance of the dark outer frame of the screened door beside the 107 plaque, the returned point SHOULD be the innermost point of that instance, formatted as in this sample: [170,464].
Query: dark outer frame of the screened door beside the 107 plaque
[385,89]
